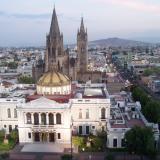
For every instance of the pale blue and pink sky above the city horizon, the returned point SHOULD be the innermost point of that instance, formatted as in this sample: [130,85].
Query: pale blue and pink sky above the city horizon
[27,22]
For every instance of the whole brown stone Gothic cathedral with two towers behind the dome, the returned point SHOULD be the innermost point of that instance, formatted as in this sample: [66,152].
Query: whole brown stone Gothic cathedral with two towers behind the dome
[59,59]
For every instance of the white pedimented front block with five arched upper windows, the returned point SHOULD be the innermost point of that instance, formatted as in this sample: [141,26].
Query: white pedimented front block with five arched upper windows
[44,120]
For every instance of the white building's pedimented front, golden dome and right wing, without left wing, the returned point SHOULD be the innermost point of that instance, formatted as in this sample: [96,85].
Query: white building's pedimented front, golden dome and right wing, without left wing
[62,108]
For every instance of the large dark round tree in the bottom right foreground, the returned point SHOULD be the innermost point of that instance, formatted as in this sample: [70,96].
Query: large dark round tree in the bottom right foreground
[140,141]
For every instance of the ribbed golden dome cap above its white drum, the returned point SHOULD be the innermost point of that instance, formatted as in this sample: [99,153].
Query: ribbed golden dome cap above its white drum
[52,79]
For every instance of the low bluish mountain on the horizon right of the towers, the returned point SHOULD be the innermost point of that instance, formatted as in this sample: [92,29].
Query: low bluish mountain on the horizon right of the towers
[116,42]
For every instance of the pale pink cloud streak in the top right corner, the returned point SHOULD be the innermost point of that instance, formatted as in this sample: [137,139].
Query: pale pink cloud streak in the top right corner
[134,4]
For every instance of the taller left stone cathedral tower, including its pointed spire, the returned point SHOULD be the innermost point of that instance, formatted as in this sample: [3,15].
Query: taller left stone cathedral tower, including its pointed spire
[54,46]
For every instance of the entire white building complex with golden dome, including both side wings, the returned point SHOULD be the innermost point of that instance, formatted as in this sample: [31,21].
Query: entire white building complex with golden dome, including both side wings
[79,109]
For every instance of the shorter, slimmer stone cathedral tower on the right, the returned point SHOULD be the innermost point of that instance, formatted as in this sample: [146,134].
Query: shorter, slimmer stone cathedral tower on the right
[82,48]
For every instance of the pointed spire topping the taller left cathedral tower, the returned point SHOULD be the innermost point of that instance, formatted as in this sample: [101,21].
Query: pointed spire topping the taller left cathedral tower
[54,29]
